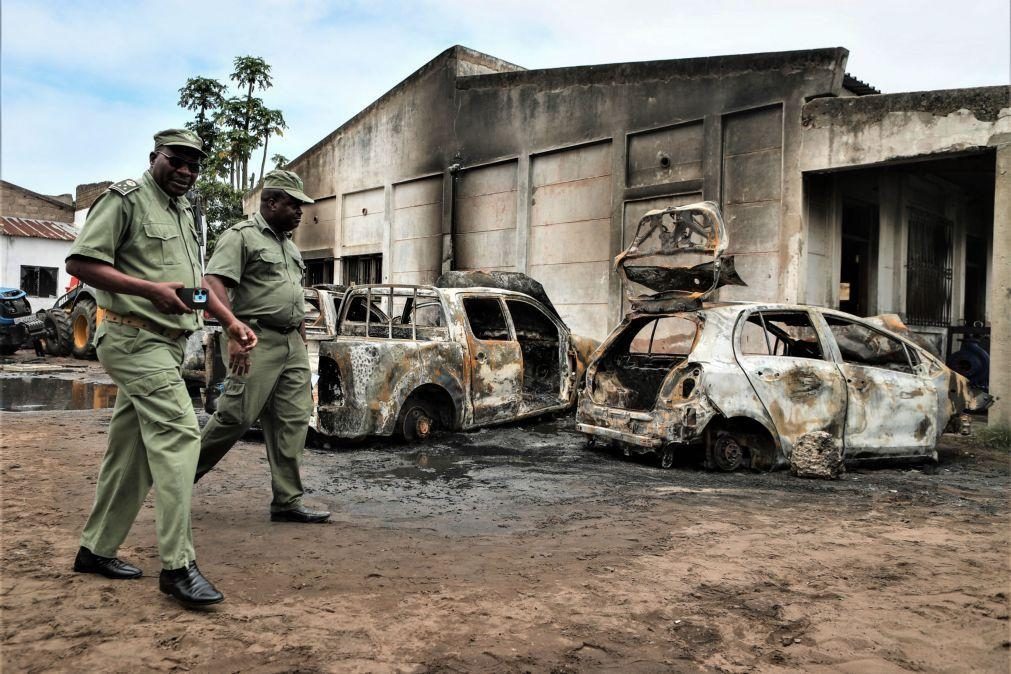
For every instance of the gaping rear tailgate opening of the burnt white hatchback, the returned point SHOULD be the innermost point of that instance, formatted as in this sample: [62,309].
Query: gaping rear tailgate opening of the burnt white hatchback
[631,372]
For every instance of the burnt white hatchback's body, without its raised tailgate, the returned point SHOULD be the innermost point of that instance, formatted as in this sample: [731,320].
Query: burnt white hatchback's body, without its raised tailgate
[758,378]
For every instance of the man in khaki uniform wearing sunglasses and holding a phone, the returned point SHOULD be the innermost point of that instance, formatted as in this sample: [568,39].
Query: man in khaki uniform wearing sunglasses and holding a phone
[138,247]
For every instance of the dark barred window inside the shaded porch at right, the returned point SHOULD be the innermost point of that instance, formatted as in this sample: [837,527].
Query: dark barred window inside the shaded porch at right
[929,270]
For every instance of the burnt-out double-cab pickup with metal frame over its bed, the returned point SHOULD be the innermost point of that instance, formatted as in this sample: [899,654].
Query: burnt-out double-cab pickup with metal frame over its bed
[410,359]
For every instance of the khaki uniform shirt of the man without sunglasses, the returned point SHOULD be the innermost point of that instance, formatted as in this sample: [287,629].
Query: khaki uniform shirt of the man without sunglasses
[267,270]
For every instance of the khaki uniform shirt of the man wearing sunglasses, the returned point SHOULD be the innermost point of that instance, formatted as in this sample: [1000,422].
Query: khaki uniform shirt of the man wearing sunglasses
[143,233]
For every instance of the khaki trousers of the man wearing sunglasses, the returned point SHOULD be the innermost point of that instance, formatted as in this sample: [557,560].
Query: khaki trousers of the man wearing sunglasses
[154,439]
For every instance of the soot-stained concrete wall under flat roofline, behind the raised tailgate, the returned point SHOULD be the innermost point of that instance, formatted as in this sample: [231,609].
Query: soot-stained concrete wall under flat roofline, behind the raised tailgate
[675,132]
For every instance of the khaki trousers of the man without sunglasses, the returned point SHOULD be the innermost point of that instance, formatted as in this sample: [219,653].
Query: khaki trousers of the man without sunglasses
[275,391]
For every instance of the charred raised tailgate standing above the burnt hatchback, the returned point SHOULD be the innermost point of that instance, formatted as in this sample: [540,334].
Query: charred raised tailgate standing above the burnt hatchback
[676,259]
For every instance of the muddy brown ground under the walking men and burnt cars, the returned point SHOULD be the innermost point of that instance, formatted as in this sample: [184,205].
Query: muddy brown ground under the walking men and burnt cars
[514,550]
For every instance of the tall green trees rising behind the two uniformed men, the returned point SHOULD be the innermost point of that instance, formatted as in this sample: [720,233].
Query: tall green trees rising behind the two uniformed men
[233,129]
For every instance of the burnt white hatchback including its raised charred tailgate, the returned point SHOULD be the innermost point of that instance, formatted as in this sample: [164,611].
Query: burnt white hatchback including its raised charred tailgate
[745,382]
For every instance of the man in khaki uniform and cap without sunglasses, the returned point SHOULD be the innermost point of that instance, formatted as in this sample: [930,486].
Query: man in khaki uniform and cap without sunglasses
[257,270]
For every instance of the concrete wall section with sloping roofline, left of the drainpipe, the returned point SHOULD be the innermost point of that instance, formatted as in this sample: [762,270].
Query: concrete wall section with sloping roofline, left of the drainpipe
[405,136]
